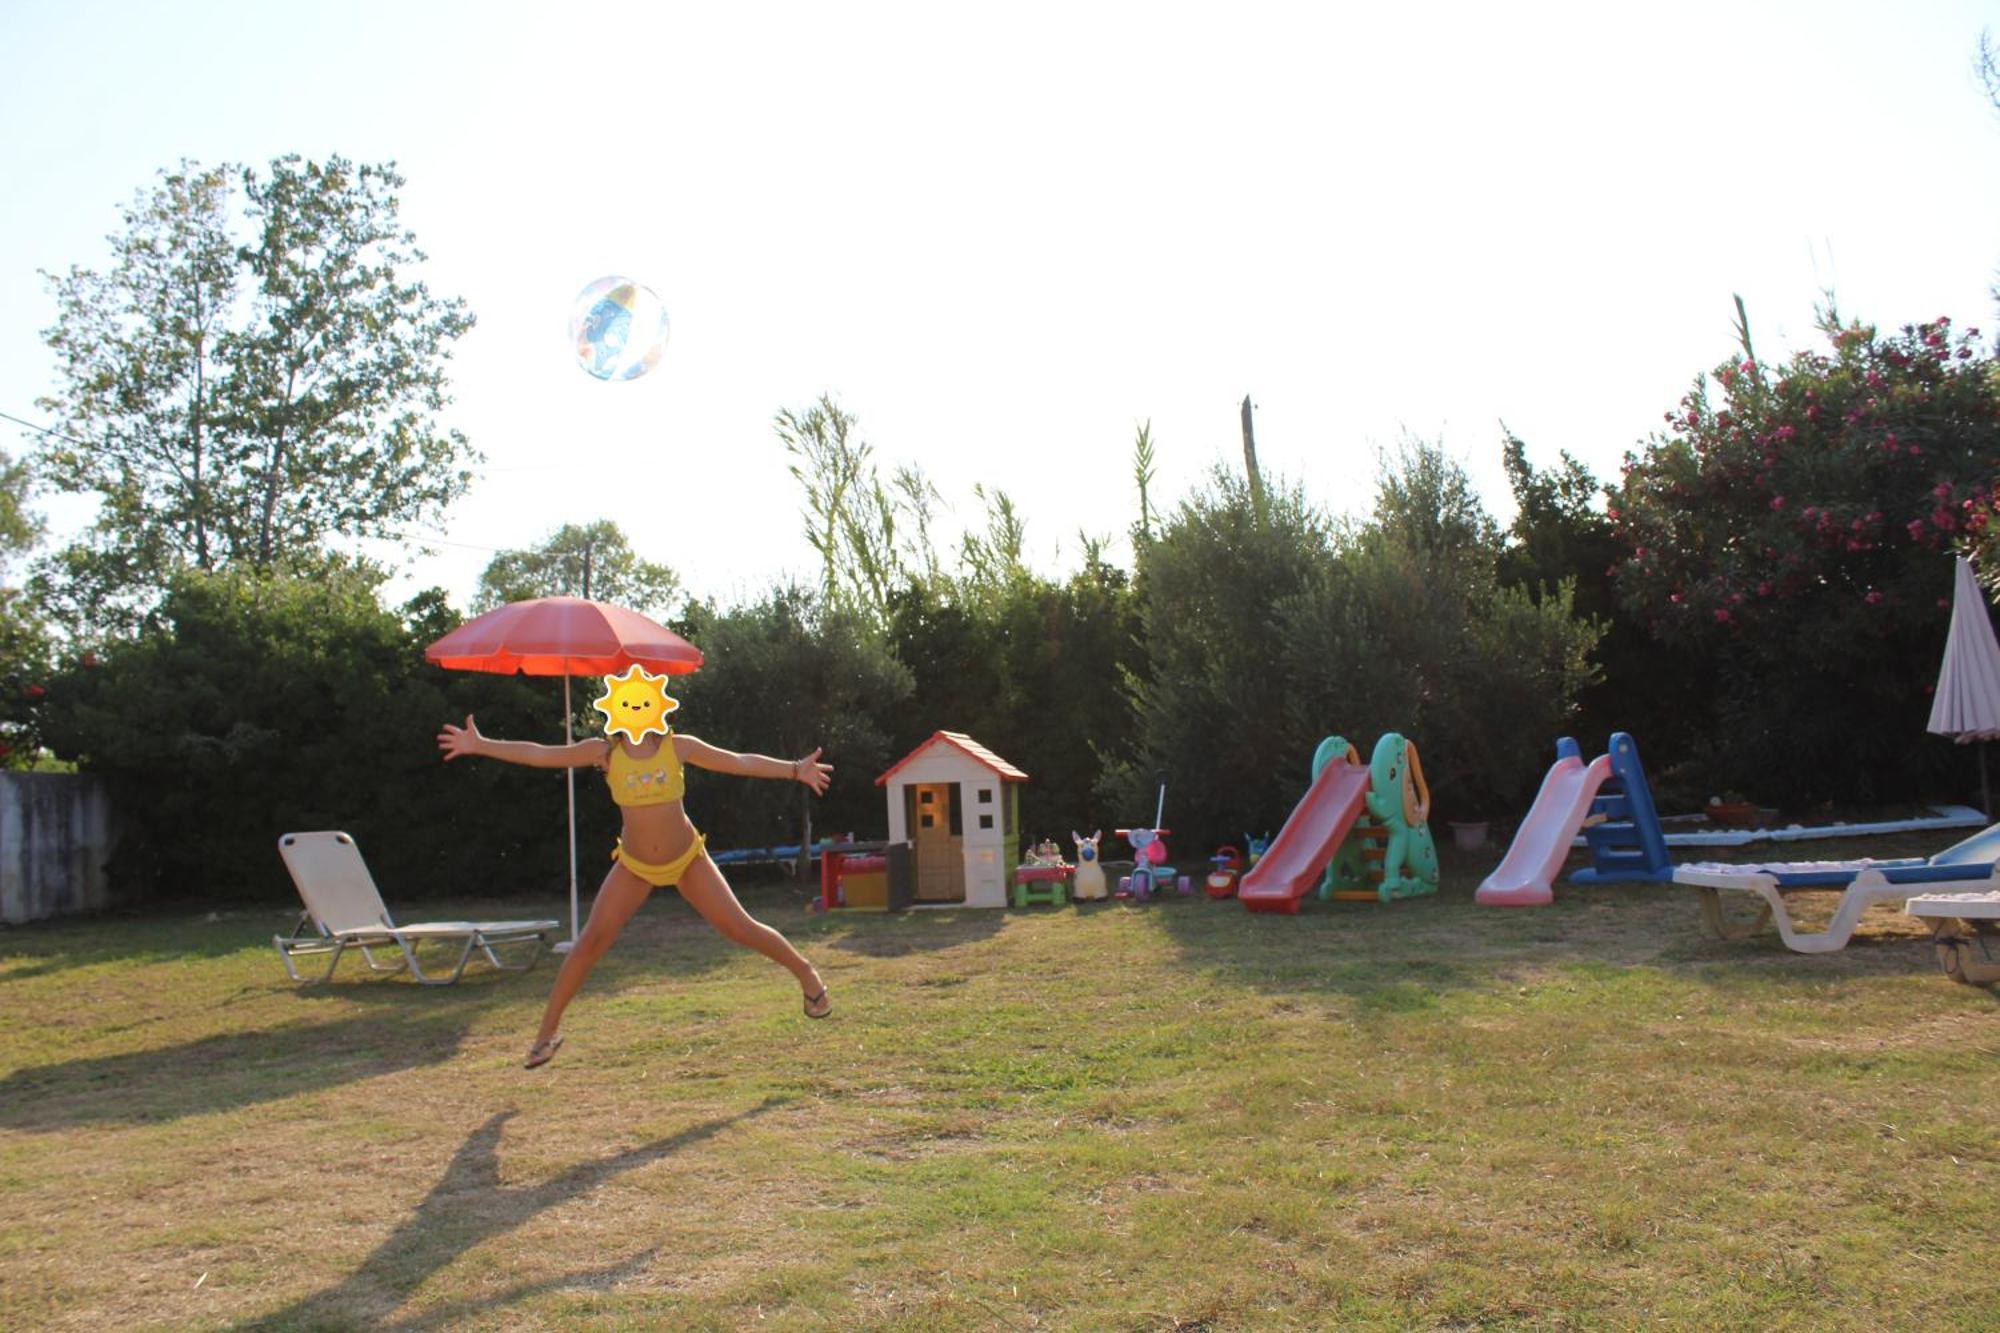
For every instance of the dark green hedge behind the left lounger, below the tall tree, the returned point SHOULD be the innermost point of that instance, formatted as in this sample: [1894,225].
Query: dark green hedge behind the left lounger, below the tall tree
[289,702]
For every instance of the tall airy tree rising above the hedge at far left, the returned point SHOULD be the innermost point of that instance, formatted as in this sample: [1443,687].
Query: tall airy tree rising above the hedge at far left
[237,405]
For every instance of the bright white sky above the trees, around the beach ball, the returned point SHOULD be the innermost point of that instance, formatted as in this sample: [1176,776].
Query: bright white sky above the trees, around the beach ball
[1005,237]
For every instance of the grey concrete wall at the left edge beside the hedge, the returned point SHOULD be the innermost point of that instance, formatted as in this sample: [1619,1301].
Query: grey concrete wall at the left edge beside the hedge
[55,840]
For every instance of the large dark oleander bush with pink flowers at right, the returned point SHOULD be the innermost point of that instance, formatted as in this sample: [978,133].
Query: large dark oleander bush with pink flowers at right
[1795,529]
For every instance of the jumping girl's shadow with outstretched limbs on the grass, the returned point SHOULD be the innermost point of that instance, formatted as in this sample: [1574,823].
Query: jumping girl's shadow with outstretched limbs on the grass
[463,1210]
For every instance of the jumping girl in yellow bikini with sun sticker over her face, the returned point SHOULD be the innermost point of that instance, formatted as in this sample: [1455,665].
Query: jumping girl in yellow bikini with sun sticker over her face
[643,762]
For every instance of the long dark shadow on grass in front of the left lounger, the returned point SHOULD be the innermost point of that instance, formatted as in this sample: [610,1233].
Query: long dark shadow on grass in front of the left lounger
[227,1072]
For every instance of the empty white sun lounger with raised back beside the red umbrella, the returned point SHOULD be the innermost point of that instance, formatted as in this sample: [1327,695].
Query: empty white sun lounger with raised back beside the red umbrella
[345,912]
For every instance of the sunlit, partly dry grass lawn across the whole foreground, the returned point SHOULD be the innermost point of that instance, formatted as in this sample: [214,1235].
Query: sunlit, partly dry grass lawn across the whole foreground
[1111,1118]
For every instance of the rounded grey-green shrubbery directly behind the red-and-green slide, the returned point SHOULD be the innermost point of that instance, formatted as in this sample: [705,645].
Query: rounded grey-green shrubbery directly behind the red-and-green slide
[1273,635]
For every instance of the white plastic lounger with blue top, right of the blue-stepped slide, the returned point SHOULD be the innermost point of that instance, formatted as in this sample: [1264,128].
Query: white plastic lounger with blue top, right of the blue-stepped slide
[1861,884]
